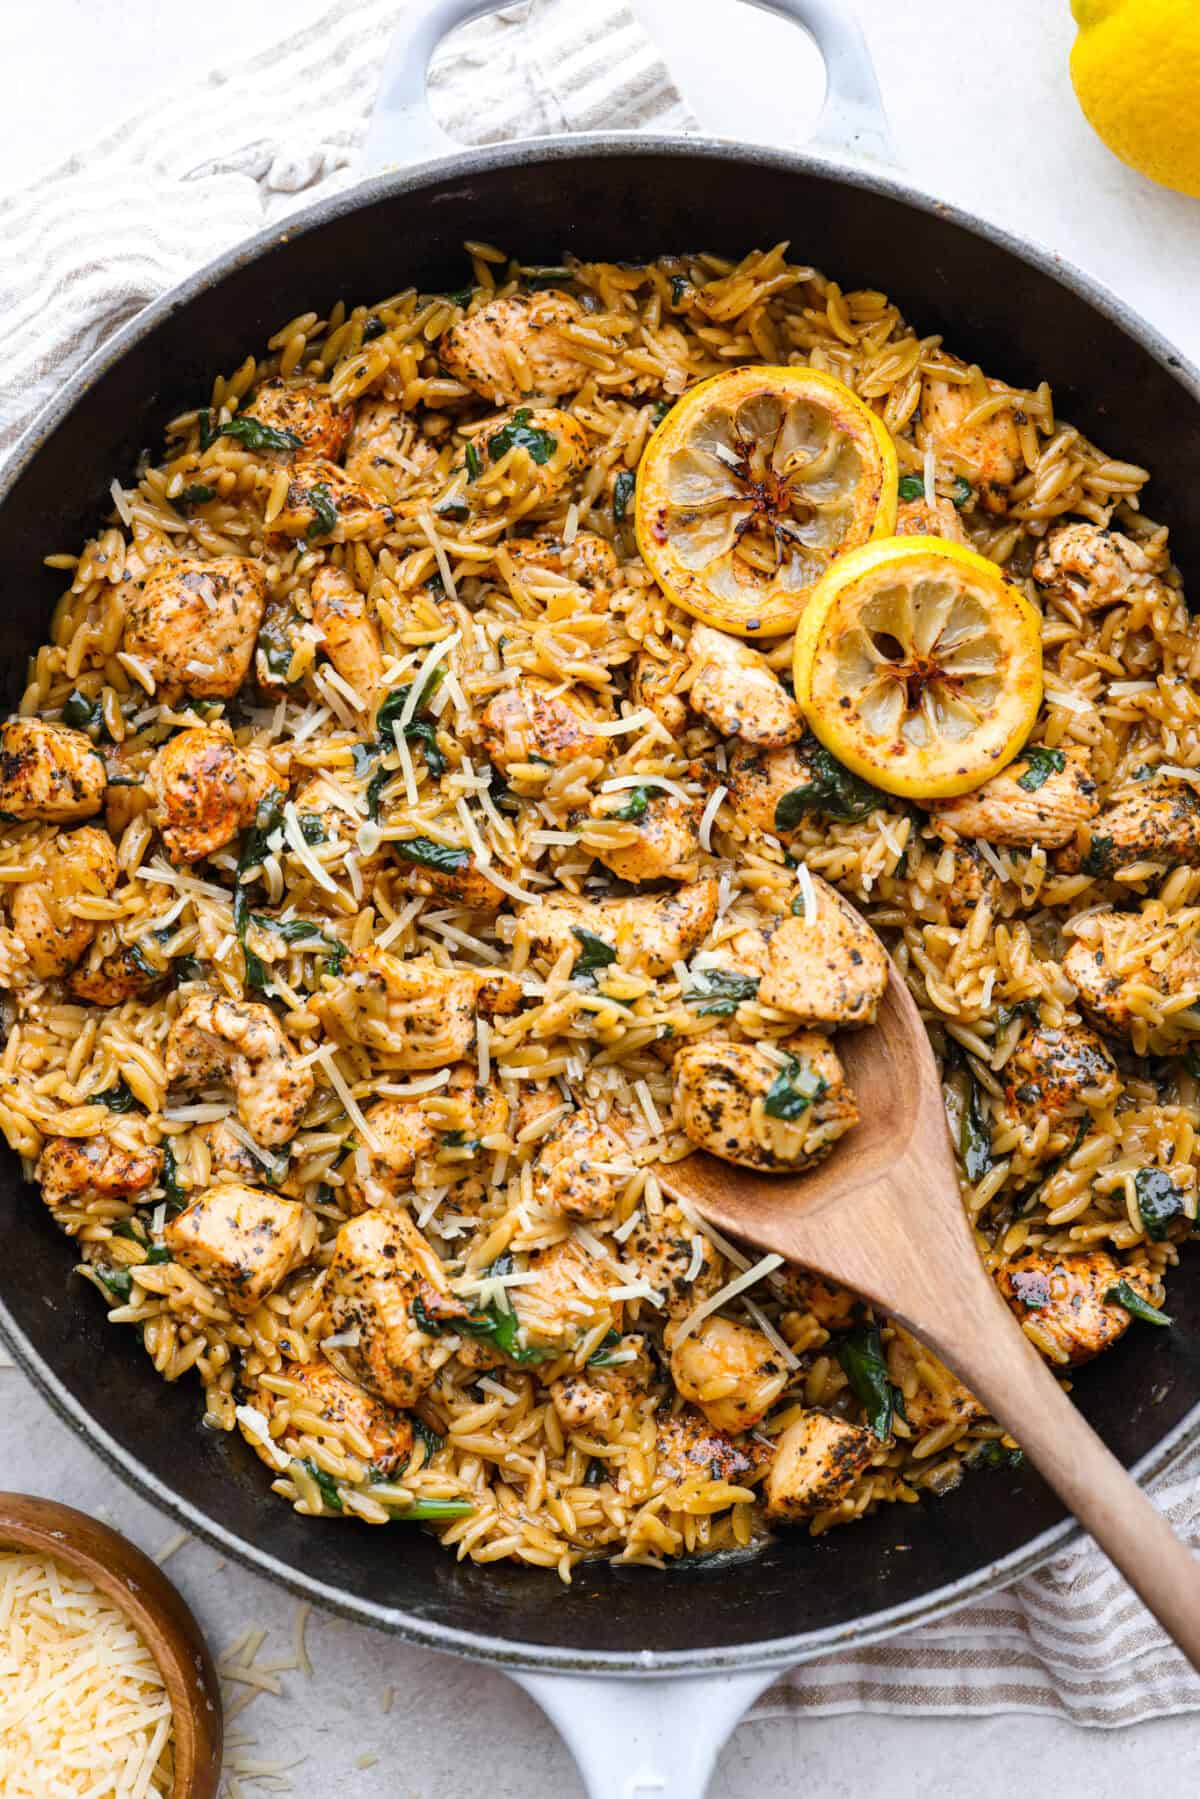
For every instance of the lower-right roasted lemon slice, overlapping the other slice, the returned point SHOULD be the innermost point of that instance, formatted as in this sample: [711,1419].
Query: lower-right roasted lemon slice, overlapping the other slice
[920,667]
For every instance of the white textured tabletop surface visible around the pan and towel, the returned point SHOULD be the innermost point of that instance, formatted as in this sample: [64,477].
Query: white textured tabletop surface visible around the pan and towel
[981,112]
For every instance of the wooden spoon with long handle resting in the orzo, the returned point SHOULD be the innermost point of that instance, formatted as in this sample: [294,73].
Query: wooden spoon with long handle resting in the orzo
[886,1219]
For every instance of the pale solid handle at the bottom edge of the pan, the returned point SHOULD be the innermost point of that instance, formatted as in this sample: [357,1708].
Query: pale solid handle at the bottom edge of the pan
[645,1739]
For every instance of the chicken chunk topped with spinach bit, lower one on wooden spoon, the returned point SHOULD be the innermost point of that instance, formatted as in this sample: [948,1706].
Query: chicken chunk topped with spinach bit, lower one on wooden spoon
[744,1104]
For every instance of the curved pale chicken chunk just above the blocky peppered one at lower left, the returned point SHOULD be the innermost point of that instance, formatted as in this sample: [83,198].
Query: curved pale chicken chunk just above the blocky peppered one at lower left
[219,1039]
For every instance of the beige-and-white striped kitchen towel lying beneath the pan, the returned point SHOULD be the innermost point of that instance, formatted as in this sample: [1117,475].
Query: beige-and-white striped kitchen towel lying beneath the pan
[174,186]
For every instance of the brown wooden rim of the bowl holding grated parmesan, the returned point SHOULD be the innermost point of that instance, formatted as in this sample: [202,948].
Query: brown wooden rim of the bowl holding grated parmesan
[154,1607]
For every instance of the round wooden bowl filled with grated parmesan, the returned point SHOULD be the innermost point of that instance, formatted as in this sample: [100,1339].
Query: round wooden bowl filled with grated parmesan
[107,1685]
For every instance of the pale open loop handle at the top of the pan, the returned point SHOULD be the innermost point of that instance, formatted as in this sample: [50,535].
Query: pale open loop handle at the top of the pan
[404,130]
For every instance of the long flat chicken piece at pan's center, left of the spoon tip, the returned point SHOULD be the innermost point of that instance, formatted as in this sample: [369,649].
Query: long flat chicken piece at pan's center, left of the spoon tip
[649,933]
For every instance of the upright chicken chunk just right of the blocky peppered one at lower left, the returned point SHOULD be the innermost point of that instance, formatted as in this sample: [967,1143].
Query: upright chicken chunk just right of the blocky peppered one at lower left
[384,1282]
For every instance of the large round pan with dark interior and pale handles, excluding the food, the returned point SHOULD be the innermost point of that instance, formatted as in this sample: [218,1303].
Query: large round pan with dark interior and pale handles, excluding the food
[1017,310]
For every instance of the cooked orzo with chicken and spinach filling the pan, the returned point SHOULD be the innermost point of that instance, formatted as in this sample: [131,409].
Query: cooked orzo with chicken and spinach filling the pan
[399,879]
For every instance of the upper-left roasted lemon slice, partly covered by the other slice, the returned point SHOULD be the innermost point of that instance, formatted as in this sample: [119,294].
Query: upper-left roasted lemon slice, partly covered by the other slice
[753,485]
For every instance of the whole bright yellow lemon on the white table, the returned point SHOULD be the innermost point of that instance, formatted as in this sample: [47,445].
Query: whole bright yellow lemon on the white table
[1136,69]
